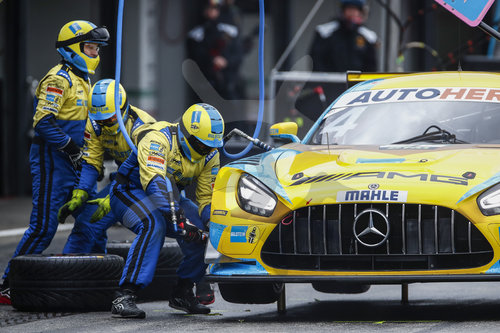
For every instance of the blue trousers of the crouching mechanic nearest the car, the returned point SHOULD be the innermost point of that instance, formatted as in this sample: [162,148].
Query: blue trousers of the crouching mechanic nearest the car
[138,213]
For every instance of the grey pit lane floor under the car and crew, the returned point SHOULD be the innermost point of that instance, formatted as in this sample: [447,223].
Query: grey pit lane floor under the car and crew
[433,307]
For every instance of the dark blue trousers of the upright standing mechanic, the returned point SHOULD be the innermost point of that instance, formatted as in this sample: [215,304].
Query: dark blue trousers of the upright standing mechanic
[53,178]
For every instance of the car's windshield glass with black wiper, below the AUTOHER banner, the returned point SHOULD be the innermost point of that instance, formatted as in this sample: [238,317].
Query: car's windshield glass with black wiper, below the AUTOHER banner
[386,123]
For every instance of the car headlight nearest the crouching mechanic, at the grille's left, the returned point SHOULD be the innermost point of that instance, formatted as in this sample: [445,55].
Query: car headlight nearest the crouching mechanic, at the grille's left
[254,197]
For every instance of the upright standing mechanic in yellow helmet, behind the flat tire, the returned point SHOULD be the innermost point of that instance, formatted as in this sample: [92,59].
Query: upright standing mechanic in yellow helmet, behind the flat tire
[59,121]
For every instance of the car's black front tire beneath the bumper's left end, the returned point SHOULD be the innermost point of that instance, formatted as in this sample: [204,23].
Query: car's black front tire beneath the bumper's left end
[250,293]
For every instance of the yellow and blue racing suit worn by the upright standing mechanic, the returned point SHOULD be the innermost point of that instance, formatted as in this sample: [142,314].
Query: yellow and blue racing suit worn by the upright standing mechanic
[60,113]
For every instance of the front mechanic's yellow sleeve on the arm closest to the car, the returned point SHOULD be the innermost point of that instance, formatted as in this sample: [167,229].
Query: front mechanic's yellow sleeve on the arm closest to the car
[206,179]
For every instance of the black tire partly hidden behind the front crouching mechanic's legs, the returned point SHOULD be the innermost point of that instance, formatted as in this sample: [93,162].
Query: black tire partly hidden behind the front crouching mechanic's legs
[165,278]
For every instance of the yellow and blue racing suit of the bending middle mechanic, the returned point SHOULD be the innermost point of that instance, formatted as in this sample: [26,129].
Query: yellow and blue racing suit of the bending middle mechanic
[89,237]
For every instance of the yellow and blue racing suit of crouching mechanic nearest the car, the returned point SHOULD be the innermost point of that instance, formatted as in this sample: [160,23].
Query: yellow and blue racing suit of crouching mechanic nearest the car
[139,199]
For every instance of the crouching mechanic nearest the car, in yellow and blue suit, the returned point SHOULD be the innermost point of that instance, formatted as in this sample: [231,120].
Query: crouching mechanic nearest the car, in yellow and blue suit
[169,156]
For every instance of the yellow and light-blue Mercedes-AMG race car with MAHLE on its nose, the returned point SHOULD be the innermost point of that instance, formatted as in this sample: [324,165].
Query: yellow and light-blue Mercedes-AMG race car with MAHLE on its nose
[397,182]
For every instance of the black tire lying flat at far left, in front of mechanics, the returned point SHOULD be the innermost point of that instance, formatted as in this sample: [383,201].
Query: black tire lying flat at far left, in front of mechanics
[68,283]
